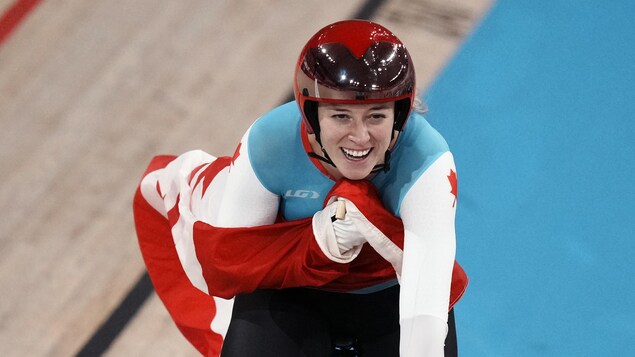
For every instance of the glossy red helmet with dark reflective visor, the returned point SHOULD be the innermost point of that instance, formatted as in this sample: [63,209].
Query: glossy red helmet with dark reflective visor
[354,61]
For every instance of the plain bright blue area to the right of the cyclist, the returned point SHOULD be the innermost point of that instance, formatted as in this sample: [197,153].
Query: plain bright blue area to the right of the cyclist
[538,107]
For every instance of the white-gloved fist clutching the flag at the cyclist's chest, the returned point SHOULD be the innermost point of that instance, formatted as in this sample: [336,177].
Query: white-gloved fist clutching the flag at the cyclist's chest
[339,239]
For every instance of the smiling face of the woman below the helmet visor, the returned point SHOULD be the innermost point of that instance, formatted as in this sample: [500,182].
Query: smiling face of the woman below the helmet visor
[355,136]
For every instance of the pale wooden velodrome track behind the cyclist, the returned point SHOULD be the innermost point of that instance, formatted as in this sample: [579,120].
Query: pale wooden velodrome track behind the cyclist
[91,90]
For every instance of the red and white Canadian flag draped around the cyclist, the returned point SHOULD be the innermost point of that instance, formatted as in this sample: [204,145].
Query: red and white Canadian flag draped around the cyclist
[231,261]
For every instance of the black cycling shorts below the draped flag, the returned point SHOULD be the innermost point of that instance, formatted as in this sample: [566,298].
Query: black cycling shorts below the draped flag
[313,323]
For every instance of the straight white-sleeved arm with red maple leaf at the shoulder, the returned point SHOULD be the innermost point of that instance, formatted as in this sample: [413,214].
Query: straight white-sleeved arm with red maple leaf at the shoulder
[428,212]
